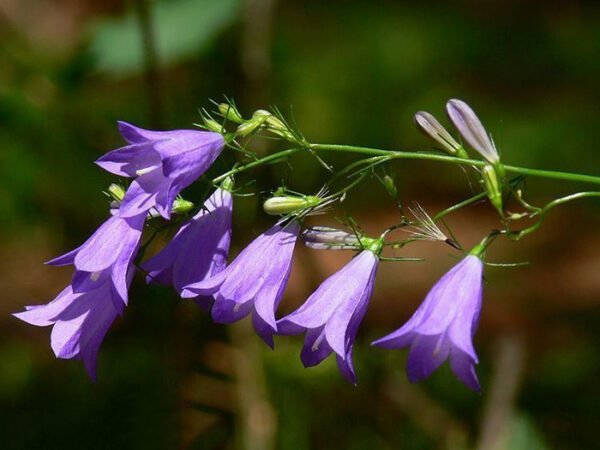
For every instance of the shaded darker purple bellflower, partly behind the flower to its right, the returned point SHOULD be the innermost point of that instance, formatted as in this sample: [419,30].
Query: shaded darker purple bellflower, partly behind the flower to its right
[198,250]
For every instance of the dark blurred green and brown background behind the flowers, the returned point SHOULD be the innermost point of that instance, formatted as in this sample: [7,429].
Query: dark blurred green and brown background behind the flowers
[352,72]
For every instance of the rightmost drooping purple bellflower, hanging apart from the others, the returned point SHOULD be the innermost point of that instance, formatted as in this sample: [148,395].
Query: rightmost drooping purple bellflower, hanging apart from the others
[443,326]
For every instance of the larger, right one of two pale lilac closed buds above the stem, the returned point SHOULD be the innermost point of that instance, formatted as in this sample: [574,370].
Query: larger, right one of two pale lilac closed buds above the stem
[471,129]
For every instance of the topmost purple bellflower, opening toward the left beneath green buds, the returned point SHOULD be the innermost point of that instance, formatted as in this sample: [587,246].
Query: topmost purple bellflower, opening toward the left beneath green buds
[163,163]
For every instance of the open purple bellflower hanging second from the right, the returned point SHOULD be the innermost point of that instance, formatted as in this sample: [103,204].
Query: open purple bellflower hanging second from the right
[332,314]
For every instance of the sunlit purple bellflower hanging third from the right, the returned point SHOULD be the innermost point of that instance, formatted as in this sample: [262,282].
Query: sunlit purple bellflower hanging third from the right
[253,282]
